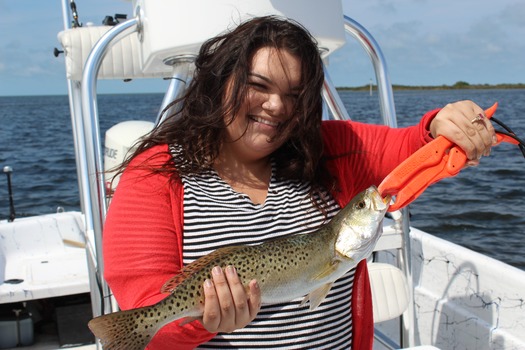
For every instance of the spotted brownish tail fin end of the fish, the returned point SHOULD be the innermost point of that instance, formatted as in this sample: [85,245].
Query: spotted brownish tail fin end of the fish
[125,330]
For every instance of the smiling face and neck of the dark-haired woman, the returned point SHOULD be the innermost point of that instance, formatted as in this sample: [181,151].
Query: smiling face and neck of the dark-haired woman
[252,134]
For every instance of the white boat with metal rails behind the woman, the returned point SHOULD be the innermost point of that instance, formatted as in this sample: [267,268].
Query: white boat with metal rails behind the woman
[427,292]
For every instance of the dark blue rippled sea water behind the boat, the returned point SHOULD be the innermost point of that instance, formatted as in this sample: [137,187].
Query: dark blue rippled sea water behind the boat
[483,208]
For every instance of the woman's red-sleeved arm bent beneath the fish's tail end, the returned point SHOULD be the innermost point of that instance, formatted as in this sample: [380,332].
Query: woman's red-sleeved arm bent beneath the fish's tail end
[142,245]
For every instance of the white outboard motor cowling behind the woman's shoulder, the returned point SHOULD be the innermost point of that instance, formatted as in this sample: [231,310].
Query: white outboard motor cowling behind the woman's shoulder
[120,139]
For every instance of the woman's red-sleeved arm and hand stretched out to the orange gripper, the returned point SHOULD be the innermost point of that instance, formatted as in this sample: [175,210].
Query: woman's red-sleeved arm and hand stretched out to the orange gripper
[368,153]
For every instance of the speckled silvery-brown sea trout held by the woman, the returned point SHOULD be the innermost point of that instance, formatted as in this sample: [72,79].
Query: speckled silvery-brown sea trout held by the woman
[285,268]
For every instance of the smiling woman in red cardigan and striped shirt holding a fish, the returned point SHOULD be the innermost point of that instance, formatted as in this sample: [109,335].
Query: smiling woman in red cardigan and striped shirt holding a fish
[246,159]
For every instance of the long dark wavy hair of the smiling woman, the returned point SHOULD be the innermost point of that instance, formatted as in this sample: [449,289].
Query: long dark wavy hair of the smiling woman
[217,92]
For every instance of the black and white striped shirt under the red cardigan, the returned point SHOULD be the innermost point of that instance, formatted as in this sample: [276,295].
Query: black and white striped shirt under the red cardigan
[215,215]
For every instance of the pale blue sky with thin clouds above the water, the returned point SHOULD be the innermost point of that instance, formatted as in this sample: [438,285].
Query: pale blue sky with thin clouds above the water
[425,42]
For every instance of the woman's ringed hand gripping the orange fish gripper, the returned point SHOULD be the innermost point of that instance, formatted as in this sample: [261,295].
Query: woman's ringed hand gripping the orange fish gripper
[465,124]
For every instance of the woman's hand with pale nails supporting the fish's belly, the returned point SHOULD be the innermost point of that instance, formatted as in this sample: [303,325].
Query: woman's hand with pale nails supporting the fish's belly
[227,304]
